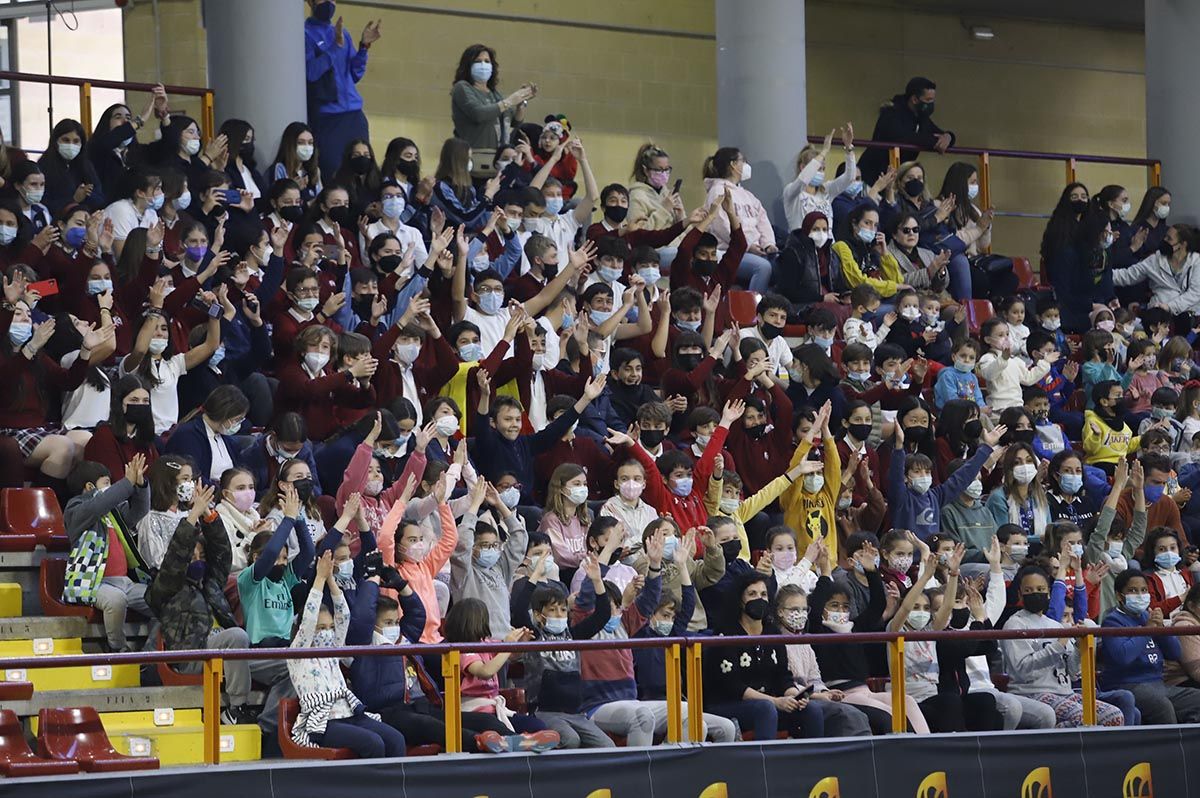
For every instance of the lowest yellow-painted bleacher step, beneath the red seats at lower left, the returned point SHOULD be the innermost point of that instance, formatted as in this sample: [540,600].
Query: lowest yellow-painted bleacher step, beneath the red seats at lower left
[176,736]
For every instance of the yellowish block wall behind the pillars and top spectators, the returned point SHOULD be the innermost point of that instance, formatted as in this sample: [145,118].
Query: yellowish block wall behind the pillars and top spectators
[1027,89]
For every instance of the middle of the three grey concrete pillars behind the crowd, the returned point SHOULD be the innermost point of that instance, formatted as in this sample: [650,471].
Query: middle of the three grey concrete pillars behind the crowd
[761,94]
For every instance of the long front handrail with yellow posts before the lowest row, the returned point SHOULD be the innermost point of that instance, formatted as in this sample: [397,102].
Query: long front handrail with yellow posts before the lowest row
[679,650]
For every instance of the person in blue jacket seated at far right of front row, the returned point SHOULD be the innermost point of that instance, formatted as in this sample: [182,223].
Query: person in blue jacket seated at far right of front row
[1136,664]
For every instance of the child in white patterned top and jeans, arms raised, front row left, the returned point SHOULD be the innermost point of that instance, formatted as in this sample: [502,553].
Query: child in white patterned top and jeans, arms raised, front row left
[331,716]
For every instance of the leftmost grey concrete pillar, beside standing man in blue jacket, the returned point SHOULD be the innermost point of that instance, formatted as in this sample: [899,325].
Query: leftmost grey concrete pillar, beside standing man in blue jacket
[256,67]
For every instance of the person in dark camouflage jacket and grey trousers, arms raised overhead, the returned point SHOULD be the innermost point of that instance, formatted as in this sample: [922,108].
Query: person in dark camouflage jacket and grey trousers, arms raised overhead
[188,596]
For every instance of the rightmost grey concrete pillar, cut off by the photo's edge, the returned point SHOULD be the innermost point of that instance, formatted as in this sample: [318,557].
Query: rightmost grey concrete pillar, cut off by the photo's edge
[1173,100]
